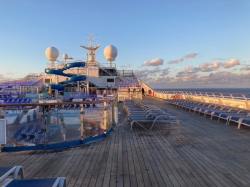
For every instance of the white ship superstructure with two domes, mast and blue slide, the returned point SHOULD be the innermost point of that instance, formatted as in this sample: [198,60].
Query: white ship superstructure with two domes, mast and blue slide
[87,75]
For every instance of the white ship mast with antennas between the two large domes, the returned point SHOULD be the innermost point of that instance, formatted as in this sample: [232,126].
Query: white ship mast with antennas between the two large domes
[91,48]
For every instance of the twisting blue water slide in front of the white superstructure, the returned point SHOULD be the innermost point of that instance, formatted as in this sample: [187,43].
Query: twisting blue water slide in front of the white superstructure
[71,77]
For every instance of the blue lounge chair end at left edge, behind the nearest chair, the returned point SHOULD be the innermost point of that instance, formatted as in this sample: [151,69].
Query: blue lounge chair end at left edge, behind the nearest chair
[5,172]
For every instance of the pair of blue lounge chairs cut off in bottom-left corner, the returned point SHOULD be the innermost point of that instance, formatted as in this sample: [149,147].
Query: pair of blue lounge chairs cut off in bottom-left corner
[18,172]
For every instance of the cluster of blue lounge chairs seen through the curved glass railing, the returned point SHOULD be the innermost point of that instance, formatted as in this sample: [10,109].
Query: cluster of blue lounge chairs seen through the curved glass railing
[31,133]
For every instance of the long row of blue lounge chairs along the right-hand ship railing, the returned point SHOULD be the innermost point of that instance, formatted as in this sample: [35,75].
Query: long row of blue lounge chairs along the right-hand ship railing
[230,114]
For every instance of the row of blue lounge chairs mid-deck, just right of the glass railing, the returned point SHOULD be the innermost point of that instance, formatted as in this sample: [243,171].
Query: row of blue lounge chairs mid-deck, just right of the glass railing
[145,113]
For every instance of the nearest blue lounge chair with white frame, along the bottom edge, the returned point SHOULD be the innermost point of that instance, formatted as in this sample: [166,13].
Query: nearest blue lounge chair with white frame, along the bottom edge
[49,182]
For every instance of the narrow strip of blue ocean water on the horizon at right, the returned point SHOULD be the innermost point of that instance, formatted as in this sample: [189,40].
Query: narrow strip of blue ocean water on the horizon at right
[214,90]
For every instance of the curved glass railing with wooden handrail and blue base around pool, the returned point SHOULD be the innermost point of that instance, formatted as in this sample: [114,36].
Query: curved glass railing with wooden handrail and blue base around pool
[57,124]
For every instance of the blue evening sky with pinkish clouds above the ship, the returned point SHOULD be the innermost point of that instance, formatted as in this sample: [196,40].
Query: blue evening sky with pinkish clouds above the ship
[168,44]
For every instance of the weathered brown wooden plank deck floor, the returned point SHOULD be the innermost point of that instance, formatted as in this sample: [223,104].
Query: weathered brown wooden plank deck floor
[202,152]
